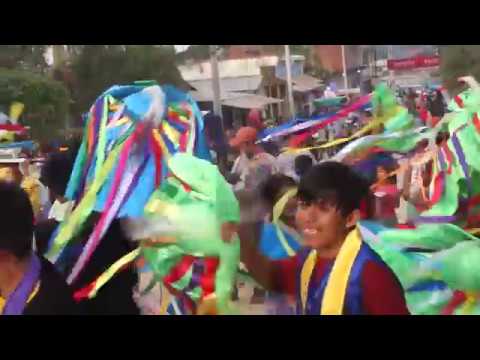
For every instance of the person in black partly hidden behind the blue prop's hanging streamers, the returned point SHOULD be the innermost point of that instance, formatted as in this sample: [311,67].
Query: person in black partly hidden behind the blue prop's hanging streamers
[116,297]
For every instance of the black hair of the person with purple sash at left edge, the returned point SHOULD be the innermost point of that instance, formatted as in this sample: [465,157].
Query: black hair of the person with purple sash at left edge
[16,221]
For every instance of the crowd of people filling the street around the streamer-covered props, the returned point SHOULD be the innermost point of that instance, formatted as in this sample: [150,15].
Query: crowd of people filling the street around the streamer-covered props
[298,224]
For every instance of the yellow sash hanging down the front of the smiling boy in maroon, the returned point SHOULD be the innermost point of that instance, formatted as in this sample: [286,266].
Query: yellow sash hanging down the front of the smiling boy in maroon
[335,291]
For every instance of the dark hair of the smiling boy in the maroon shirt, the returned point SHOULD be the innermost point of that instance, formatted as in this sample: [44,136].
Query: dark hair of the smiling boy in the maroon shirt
[336,183]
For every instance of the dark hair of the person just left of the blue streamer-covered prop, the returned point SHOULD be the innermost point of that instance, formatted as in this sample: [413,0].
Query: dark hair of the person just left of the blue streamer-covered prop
[56,171]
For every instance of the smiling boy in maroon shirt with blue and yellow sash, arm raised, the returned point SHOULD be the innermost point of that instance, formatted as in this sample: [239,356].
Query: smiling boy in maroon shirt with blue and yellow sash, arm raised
[336,272]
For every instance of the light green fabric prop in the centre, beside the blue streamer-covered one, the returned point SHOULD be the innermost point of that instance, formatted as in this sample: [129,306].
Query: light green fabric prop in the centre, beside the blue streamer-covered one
[196,217]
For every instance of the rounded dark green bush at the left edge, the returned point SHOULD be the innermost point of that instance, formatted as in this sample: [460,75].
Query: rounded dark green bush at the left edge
[46,101]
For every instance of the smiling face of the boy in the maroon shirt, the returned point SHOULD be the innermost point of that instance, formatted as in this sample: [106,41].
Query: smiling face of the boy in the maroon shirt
[322,225]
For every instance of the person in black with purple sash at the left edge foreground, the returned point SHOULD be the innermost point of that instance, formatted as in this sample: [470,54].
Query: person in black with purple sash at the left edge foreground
[29,285]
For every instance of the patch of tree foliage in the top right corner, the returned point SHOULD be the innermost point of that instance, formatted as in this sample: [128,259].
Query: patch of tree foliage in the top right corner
[456,61]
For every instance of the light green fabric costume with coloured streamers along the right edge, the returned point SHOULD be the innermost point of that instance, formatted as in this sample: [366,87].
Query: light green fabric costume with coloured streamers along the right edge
[455,261]
